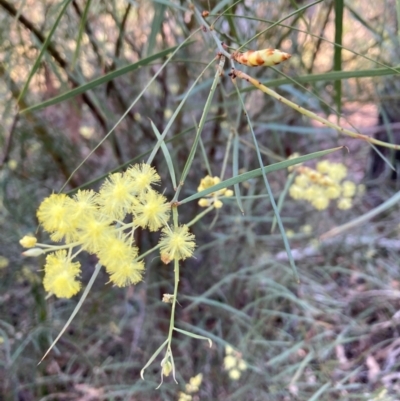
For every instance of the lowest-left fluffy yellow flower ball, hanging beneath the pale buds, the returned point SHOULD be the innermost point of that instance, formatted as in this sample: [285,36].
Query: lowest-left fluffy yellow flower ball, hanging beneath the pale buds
[60,275]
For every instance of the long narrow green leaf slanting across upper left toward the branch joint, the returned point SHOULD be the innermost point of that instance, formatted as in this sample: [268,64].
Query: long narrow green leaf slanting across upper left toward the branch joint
[103,79]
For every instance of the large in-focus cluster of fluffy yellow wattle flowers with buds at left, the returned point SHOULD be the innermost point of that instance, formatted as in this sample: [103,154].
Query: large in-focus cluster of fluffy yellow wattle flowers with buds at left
[95,222]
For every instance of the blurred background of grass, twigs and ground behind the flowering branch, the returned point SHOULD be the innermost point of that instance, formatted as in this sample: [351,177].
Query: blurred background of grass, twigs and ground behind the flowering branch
[334,335]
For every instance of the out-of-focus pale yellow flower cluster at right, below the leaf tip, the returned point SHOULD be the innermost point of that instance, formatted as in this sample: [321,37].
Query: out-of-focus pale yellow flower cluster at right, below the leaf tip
[321,185]
